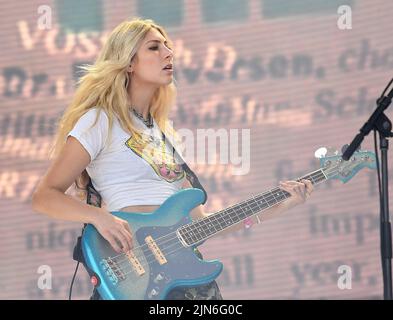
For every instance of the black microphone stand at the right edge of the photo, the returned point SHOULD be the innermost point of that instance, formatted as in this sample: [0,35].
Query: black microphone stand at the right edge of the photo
[381,123]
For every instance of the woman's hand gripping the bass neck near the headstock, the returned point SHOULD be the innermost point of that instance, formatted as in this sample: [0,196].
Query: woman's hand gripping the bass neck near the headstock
[300,192]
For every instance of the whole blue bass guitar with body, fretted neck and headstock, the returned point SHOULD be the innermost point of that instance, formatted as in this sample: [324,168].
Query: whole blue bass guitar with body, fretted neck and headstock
[163,256]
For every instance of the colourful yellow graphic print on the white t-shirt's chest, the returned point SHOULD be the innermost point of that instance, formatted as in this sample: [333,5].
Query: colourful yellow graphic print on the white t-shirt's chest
[154,152]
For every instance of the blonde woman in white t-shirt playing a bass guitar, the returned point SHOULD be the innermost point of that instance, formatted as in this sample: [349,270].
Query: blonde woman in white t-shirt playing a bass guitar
[111,133]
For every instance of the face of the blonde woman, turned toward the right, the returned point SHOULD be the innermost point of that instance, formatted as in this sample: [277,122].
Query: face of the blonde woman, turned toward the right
[152,56]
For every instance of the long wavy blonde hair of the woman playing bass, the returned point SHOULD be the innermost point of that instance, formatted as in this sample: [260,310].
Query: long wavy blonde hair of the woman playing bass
[104,86]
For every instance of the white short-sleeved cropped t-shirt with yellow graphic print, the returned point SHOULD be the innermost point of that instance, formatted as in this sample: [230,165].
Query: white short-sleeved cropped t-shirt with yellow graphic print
[128,170]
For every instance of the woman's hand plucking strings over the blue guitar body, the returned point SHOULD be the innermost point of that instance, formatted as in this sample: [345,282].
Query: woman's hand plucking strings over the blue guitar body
[115,230]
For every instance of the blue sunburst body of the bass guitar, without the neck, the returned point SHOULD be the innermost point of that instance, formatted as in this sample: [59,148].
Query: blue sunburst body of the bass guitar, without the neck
[158,269]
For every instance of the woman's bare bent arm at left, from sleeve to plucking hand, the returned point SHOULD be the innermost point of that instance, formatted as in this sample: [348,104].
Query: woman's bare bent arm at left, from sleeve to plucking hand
[49,197]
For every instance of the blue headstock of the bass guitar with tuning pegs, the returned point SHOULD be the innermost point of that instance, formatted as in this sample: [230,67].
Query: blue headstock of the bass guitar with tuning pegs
[334,167]
